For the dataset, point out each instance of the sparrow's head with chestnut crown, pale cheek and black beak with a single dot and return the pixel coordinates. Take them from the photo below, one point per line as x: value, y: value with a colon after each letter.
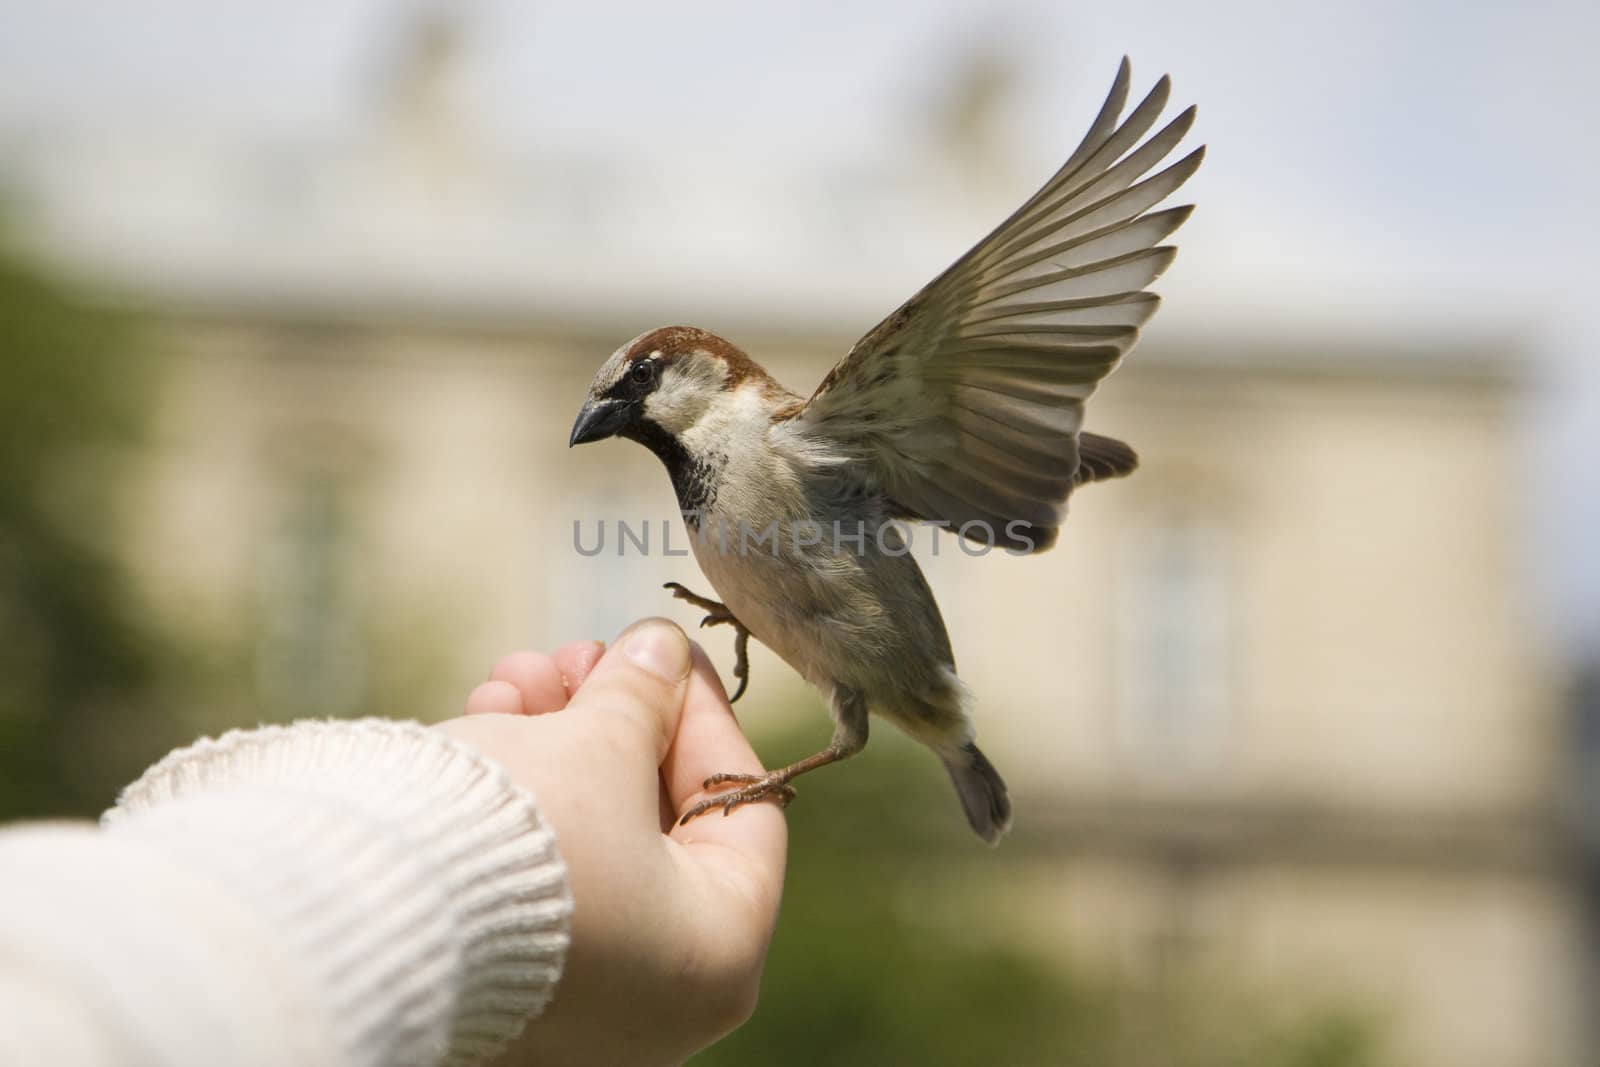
x: 662, y: 383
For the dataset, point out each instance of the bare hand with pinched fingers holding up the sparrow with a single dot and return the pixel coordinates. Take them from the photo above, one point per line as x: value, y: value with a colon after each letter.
x: 671, y: 924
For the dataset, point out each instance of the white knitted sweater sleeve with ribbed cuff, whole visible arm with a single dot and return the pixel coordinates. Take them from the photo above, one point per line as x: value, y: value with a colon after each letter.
x: 366, y: 893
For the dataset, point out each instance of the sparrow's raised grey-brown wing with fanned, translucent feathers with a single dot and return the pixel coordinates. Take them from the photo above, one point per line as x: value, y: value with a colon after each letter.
x: 967, y: 402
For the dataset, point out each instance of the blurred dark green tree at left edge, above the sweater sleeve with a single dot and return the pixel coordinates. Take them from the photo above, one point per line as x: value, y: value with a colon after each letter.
x: 78, y: 669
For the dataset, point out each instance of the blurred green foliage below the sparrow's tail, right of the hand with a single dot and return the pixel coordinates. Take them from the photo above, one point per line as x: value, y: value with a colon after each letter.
x: 886, y: 954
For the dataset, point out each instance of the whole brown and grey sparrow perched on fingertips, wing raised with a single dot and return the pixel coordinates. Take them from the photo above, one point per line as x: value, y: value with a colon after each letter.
x: 962, y: 409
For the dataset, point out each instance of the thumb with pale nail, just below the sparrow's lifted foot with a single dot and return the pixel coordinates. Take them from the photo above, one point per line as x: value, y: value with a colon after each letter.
x: 638, y: 689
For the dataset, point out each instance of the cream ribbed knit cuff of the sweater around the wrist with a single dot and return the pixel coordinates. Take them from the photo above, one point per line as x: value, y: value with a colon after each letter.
x: 415, y: 881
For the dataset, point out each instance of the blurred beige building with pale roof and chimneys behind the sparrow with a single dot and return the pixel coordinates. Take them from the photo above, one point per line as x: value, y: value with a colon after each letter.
x: 1273, y: 708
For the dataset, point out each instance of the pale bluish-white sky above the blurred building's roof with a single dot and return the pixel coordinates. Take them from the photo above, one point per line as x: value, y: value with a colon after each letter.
x: 1382, y: 169
